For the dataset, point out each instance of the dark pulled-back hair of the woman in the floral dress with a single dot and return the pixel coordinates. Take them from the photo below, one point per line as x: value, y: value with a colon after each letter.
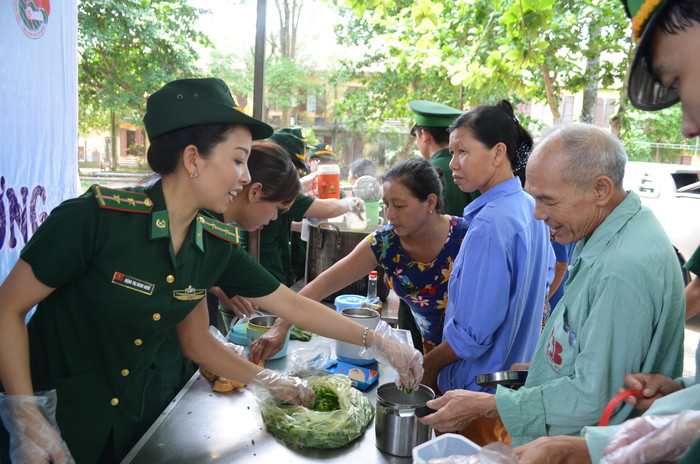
x: 418, y: 176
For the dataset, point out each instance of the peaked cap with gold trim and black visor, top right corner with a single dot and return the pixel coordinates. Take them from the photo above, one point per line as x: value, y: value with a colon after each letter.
x: 645, y: 90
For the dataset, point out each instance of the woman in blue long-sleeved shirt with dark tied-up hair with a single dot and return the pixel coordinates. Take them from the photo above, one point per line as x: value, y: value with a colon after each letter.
x: 500, y: 277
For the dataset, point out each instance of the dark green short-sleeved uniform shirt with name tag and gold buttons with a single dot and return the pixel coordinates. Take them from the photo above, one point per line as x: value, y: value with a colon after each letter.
x: 120, y: 290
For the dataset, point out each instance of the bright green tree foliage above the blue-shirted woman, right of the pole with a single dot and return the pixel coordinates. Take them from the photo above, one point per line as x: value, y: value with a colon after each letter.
x: 476, y: 52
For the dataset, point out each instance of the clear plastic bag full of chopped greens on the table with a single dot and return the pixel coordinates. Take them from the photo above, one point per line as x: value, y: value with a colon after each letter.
x: 339, y: 415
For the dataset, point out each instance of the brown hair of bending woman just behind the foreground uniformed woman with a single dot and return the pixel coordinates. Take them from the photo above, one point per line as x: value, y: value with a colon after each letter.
x: 270, y: 165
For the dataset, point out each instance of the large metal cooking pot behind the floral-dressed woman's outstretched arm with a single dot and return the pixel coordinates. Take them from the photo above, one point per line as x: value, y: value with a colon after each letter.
x: 328, y: 243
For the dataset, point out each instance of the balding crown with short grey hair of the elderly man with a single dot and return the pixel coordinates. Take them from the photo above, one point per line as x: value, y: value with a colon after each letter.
x: 584, y: 152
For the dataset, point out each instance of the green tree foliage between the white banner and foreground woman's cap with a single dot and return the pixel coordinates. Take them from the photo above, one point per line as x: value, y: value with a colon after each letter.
x: 129, y: 48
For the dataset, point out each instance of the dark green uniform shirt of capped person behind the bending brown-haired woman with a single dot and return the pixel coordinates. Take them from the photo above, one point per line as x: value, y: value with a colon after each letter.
x: 275, y: 238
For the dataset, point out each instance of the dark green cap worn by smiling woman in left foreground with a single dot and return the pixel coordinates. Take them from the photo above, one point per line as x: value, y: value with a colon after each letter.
x: 192, y: 102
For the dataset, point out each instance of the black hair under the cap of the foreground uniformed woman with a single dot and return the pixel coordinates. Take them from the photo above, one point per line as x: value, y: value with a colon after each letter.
x: 163, y: 153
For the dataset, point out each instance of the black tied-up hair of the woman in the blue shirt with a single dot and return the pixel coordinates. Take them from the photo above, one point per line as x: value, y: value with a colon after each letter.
x: 495, y: 124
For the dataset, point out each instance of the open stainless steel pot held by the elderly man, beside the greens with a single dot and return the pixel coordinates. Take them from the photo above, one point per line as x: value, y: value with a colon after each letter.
x: 396, y: 423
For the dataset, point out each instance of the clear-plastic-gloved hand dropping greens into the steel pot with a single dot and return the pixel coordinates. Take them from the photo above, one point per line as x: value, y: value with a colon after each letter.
x: 391, y: 348
